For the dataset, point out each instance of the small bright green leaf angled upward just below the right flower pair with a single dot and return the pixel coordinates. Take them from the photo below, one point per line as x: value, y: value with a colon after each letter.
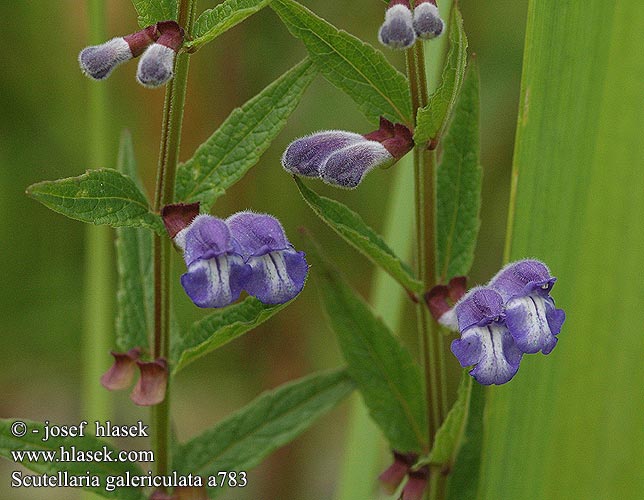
x: 449, y: 436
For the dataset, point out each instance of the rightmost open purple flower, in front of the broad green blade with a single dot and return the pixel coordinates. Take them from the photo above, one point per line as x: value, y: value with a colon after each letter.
x: 530, y: 312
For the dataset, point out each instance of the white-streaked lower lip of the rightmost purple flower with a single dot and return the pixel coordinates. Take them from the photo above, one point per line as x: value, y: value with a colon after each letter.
x: 527, y: 320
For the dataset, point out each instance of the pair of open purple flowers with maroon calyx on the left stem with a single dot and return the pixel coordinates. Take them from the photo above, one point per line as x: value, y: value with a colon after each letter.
x: 248, y: 252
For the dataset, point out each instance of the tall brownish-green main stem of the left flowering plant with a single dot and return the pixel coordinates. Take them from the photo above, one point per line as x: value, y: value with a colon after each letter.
x: 166, y: 174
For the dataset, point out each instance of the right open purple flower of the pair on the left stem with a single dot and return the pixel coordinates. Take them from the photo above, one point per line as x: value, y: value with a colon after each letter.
x: 278, y: 270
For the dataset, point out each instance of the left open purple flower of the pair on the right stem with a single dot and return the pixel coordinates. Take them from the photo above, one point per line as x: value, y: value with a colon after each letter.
x: 485, y: 340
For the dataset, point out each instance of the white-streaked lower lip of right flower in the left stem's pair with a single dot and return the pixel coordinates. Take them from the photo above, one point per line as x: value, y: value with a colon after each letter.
x: 277, y: 276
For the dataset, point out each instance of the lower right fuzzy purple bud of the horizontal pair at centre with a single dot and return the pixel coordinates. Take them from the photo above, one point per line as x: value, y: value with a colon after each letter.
x: 346, y: 167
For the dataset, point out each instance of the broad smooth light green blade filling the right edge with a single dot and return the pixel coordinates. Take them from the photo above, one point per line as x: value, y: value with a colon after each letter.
x: 570, y: 423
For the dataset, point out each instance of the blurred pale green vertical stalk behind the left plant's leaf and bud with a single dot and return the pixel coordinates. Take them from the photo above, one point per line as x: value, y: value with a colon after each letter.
x: 98, y: 285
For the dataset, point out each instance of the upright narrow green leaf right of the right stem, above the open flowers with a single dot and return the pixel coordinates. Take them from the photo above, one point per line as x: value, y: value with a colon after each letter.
x: 459, y: 185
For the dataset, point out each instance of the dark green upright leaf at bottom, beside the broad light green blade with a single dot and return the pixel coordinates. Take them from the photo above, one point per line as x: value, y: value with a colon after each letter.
x: 463, y: 482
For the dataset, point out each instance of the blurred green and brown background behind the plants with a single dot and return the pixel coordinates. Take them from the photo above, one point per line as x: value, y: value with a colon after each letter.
x: 43, y: 135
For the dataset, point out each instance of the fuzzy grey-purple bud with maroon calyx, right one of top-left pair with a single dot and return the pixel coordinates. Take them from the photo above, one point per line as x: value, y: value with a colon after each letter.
x: 156, y: 65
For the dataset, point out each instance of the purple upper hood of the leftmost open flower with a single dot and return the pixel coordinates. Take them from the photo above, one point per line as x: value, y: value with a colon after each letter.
x: 205, y: 238
